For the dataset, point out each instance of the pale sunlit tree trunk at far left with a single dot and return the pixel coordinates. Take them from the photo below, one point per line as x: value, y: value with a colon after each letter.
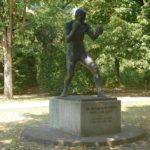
x: 7, y: 48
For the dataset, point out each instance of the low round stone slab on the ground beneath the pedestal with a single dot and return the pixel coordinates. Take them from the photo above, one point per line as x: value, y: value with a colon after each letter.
x: 42, y: 133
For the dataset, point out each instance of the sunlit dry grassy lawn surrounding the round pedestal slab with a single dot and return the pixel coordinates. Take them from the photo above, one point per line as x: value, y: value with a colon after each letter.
x: 14, y: 120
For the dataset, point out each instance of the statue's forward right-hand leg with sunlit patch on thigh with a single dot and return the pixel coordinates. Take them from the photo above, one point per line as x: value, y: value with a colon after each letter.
x: 91, y: 65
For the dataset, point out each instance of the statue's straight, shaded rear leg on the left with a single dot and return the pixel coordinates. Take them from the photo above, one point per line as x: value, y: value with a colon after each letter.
x: 68, y: 77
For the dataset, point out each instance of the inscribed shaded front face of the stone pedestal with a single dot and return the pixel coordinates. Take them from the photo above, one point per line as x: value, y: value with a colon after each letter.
x: 101, y: 117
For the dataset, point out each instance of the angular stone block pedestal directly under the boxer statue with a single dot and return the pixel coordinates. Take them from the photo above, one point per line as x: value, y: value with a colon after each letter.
x: 85, y: 115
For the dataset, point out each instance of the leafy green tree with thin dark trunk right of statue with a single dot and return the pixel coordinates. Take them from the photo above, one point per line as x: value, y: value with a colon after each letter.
x: 122, y: 32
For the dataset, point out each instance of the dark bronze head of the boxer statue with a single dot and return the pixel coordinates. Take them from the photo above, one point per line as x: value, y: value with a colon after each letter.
x: 80, y: 14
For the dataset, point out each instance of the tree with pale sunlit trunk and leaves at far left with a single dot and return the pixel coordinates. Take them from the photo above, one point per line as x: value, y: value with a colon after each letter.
x: 11, y: 25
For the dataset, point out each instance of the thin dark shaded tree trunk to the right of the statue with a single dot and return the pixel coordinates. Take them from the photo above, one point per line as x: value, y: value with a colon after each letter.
x: 117, y: 72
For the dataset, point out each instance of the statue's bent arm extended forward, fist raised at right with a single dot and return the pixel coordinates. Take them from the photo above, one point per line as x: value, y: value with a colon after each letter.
x: 94, y: 35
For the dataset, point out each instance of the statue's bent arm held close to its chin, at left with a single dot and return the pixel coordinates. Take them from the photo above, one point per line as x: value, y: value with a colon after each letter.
x: 70, y: 34
